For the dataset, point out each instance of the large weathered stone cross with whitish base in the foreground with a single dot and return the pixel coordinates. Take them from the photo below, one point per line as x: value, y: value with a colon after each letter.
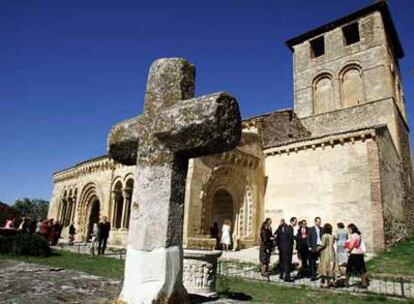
x: 174, y: 127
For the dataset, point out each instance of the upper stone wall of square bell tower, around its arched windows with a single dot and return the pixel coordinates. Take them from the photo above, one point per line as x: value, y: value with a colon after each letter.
x: 371, y: 56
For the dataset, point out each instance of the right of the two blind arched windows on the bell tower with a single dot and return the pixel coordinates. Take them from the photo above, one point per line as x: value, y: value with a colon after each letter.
x: 352, y: 87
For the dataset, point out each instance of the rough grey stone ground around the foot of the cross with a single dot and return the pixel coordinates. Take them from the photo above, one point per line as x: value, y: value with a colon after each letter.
x: 25, y: 283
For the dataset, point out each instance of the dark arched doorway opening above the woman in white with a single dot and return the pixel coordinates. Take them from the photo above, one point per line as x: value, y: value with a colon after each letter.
x: 222, y: 208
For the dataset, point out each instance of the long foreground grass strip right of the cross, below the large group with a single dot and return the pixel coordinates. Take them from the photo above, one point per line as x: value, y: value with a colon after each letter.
x: 262, y: 292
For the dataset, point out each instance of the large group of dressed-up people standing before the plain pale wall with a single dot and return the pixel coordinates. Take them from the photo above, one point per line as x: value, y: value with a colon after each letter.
x: 332, y: 257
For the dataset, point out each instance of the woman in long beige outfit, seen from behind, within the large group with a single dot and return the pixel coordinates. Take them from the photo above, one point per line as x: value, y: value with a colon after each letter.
x: 328, y: 266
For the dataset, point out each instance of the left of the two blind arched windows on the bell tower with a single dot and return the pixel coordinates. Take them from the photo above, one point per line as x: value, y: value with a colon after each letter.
x: 323, y: 94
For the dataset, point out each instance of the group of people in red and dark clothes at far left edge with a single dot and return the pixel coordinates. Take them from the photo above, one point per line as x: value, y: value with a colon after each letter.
x: 48, y: 228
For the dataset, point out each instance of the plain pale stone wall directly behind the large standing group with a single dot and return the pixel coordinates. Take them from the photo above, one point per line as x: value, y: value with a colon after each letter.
x: 331, y: 181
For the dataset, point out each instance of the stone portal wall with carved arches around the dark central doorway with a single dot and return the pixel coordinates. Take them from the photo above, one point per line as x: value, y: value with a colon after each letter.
x: 239, y: 173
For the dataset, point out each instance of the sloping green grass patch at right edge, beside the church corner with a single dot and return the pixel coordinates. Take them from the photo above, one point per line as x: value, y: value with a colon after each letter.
x: 396, y: 261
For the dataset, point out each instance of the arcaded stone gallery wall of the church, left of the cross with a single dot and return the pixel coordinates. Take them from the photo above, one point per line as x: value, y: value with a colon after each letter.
x: 84, y: 184
